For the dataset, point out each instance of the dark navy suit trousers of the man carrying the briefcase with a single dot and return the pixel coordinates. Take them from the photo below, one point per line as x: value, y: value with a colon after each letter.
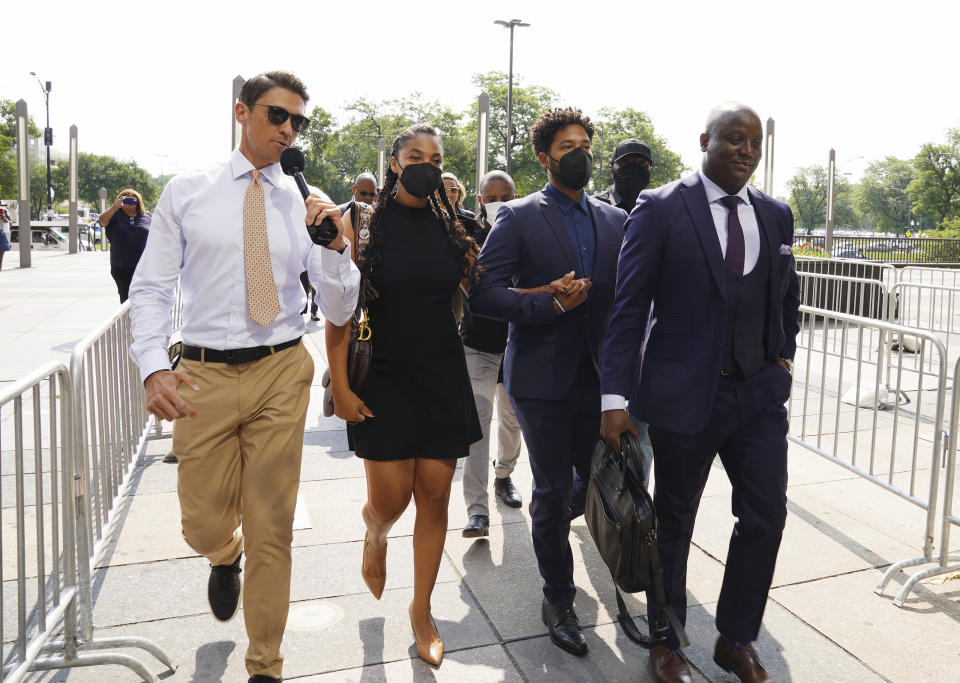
x: 747, y: 429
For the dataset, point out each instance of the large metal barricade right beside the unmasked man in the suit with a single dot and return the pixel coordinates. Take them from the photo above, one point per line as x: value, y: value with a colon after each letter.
x: 851, y: 415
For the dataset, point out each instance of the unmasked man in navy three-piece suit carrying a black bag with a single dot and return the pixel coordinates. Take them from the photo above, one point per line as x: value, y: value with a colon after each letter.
x: 709, y: 368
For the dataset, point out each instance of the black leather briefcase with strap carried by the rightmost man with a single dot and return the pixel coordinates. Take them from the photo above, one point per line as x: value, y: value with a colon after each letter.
x: 623, y: 523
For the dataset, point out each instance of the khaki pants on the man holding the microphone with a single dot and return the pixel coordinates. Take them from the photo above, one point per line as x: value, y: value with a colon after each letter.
x: 240, y: 464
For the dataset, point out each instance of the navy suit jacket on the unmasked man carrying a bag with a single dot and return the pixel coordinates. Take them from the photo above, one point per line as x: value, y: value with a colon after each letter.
x: 671, y: 258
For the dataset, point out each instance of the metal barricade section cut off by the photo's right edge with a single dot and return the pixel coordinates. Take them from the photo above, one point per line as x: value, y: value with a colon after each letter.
x: 947, y: 562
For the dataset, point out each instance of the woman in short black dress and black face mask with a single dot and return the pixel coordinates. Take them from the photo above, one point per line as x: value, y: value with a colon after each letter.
x: 415, y: 414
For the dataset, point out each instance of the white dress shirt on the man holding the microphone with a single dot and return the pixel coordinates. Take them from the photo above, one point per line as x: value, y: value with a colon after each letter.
x: 197, y: 237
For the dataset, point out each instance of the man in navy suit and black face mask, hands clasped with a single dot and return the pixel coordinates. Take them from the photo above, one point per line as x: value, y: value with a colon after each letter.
x: 551, y: 365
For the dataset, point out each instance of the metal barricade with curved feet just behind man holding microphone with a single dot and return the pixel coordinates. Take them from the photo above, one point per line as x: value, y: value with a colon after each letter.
x: 111, y: 426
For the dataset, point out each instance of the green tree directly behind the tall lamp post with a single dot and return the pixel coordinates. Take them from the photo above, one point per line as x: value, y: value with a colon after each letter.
x: 528, y: 103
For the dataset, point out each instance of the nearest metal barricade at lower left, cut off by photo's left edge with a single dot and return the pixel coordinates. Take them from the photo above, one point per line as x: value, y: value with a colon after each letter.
x: 43, y: 516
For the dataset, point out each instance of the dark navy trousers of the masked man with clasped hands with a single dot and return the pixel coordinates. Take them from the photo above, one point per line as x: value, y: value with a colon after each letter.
x: 560, y: 437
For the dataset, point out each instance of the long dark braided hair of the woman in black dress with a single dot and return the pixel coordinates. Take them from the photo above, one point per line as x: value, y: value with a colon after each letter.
x: 460, y: 243
